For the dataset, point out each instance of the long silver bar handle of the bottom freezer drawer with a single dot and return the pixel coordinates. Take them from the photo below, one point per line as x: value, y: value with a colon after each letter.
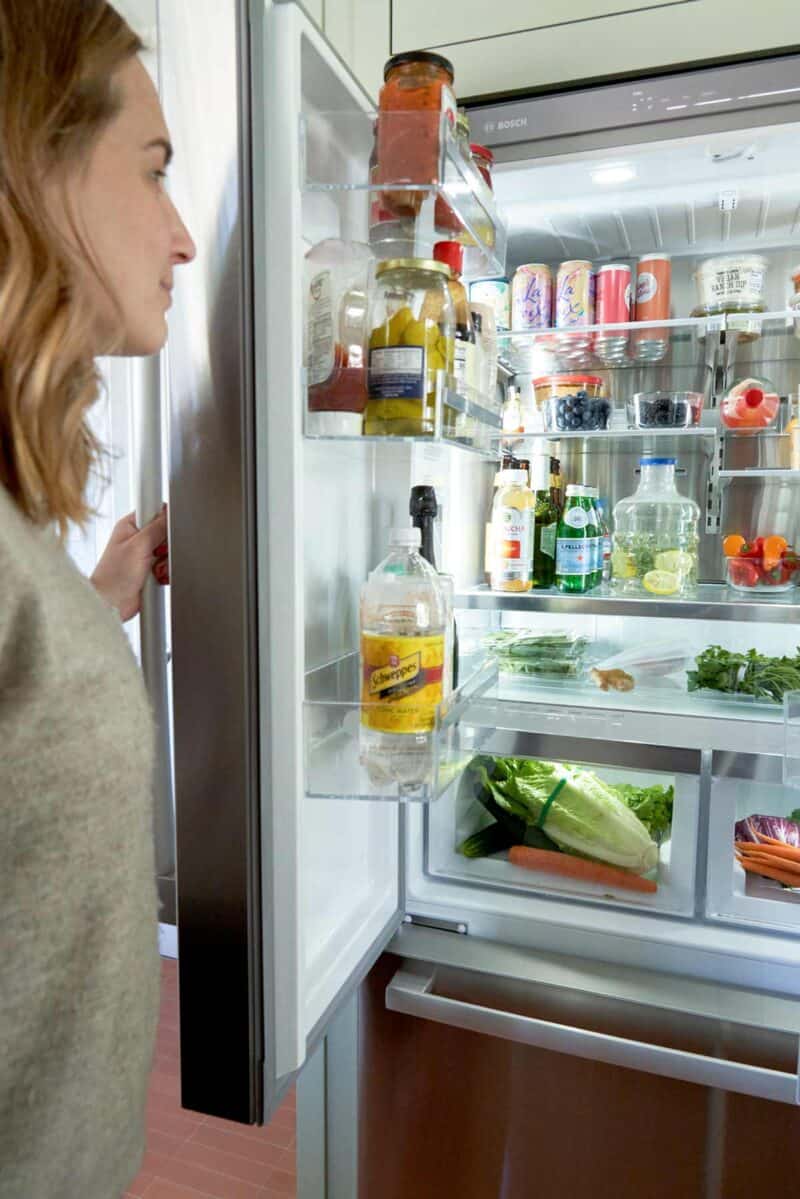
x: 413, y: 995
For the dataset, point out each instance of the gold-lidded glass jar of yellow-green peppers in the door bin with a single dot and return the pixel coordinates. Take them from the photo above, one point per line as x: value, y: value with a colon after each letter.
x: 412, y: 348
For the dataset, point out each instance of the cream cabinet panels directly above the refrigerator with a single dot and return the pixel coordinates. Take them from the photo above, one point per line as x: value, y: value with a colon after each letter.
x: 522, y: 46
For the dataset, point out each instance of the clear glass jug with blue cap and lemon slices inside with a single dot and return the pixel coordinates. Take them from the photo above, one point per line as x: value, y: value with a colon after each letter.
x: 655, y: 535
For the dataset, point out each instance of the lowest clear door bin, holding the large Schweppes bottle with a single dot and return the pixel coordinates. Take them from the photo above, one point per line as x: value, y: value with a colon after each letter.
x: 345, y: 761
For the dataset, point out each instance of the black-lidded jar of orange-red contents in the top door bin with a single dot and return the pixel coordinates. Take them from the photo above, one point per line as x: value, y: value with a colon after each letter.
x: 417, y: 94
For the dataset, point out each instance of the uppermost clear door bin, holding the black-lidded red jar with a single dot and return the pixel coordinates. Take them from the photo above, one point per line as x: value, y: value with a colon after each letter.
x: 338, y: 148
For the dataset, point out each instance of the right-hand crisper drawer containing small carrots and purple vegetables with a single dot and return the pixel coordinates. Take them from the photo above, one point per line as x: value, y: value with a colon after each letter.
x: 743, y: 786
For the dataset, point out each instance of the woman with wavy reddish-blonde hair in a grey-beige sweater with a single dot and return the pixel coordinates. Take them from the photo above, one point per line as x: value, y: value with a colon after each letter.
x: 89, y: 243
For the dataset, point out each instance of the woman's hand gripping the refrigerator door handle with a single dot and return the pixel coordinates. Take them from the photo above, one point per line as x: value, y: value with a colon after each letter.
x: 129, y: 558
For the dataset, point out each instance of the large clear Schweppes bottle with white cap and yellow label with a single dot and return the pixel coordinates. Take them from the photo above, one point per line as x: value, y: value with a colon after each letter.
x: 405, y: 616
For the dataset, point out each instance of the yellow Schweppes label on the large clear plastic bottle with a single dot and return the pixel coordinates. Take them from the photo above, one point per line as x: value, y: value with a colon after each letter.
x: 401, y: 682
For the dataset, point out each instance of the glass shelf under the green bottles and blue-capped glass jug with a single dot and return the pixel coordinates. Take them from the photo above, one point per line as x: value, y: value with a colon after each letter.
x: 712, y: 601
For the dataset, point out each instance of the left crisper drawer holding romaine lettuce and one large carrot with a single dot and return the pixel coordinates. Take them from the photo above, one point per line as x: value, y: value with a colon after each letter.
x: 555, y: 739
